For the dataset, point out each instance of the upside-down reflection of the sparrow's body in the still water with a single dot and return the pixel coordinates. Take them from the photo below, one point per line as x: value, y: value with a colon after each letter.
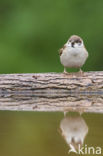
x: 74, y: 130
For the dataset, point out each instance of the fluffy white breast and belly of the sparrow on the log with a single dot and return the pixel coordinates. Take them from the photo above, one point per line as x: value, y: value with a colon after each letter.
x: 73, y: 57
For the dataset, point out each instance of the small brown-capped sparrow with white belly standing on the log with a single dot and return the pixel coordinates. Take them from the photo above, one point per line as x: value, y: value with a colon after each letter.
x: 73, y: 54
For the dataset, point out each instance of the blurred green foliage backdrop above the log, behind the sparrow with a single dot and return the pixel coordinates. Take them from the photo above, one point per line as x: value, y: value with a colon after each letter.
x: 31, y: 32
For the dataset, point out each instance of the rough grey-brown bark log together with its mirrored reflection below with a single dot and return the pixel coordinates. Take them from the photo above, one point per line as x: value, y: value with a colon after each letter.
x: 52, y: 92
